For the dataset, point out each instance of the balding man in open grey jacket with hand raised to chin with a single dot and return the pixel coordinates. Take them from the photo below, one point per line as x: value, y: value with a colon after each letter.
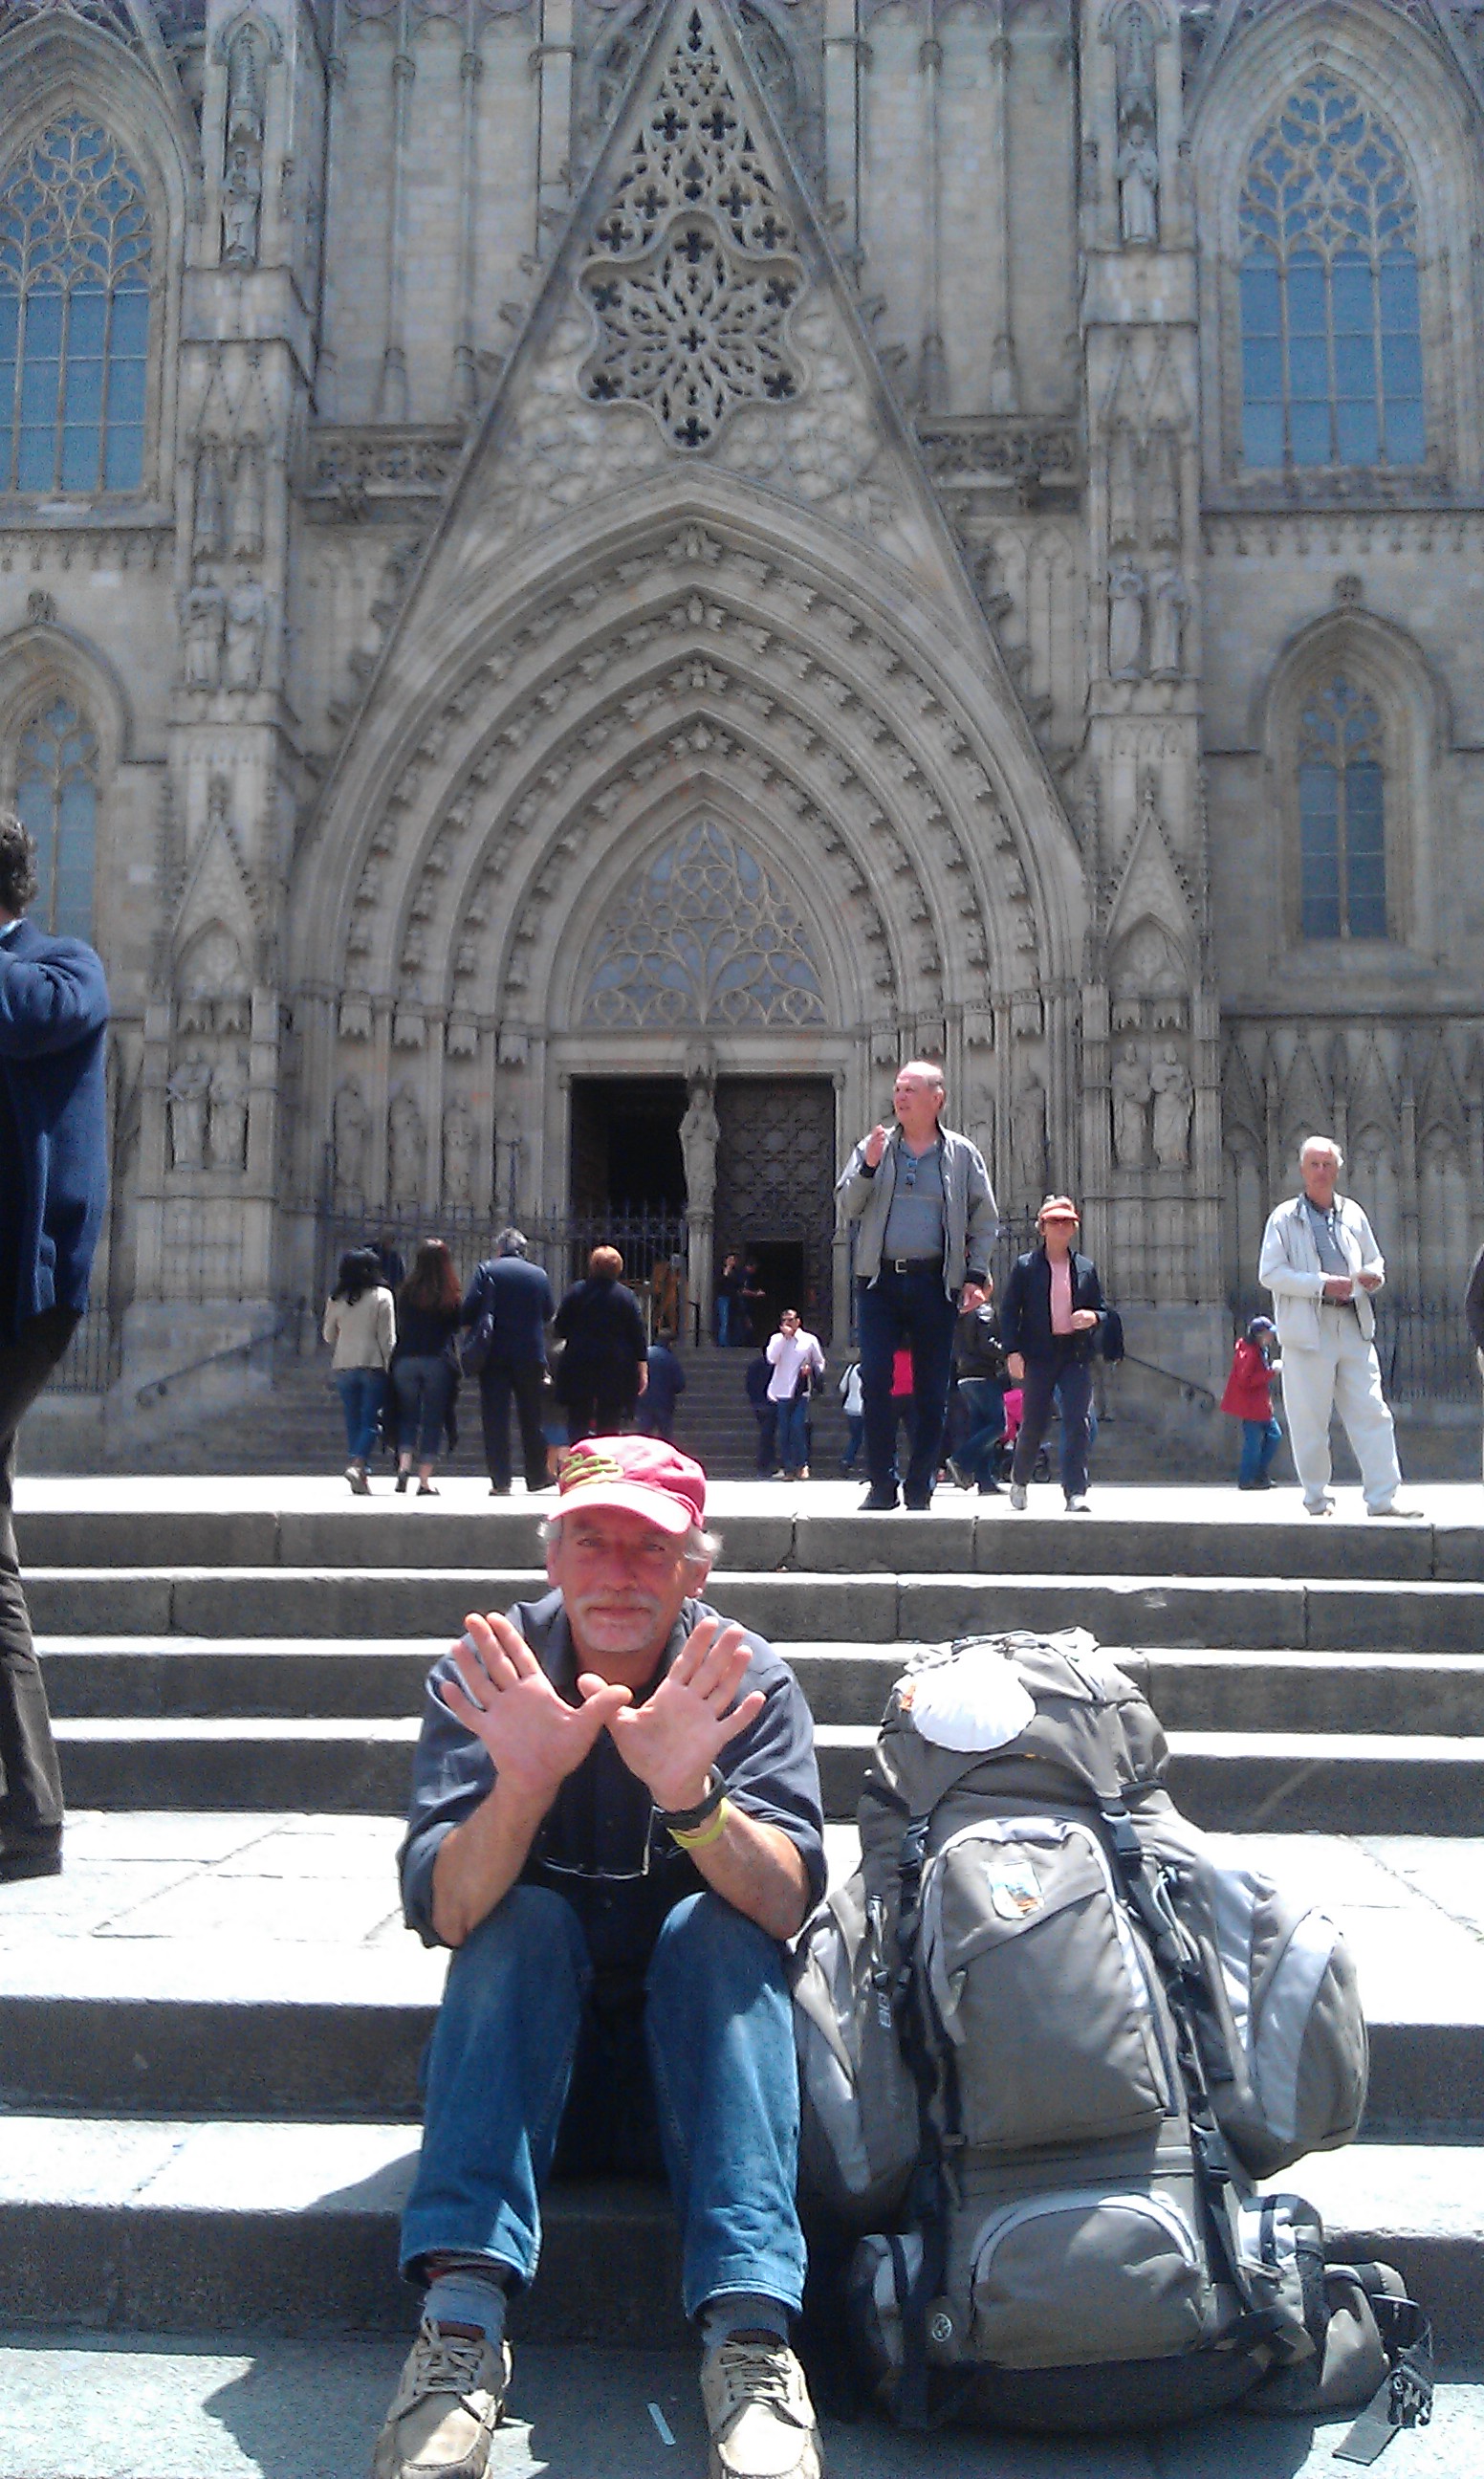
x: 928, y: 1218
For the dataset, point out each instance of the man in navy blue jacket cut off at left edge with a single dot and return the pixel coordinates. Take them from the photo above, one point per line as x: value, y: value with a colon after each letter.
x: 53, y: 1186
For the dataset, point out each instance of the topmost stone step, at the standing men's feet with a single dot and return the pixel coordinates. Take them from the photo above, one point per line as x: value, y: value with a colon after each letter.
x: 806, y: 1528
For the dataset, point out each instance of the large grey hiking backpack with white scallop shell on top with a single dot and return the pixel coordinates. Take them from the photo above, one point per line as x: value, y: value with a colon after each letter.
x: 1047, y: 2046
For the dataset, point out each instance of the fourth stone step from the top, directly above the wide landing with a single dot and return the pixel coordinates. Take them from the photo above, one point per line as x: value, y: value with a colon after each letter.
x: 1223, y: 1779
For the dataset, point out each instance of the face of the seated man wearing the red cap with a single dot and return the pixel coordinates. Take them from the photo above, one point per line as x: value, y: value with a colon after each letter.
x: 623, y: 1585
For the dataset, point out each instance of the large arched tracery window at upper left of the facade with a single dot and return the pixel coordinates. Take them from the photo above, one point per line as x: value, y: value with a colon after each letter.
x: 73, y: 316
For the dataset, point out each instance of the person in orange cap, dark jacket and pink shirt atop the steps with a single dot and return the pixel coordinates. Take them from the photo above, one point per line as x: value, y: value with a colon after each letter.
x: 1049, y: 1330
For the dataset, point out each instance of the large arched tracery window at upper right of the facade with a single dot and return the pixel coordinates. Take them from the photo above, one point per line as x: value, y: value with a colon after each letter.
x: 1332, y: 353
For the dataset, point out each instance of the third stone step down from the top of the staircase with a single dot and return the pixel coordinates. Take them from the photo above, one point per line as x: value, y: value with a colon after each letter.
x: 204, y: 1677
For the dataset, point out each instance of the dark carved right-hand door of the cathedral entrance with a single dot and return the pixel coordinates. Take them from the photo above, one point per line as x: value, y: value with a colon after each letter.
x: 777, y: 1191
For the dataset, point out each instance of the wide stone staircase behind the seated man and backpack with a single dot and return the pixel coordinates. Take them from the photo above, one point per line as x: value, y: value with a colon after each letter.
x: 209, y: 2027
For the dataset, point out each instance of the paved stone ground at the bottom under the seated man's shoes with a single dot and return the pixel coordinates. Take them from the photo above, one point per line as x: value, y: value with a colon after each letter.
x: 296, y: 2411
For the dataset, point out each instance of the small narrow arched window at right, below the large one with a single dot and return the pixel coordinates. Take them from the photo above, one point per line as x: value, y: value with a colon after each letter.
x: 1342, y: 814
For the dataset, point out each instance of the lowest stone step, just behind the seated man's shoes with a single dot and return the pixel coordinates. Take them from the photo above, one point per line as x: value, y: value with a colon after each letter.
x: 194, y: 2227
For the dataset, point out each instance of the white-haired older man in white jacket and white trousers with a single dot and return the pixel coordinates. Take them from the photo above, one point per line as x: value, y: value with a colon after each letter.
x: 1322, y: 1266
